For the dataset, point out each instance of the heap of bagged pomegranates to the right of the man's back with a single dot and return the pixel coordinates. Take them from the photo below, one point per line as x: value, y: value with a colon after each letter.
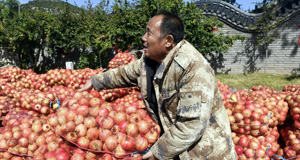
x: 258, y: 120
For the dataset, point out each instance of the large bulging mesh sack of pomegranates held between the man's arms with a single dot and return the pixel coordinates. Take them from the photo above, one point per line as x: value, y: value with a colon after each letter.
x: 90, y: 123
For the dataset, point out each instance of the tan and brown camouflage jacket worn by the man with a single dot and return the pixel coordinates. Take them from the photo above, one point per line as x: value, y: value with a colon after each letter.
x: 190, y: 106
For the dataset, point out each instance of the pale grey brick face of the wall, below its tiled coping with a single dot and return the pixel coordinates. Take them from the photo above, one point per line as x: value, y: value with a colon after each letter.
x: 281, y: 56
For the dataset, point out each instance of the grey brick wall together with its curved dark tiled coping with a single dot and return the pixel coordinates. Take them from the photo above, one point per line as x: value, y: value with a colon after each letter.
x: 281, y: 56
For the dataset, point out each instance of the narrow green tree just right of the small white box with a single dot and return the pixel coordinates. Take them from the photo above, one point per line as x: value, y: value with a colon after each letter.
x: 94, y: 31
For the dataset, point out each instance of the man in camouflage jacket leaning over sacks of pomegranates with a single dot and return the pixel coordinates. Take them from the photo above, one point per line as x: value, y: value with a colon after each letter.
x: 180, y: 92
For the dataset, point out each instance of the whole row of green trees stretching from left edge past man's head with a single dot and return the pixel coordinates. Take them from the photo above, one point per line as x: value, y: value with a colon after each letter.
x: 96, y: 31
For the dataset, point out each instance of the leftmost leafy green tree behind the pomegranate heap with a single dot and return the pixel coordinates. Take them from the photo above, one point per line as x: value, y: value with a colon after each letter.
x: 27, y: 34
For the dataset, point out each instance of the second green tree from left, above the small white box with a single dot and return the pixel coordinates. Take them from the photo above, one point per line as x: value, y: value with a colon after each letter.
x: 64, y: 35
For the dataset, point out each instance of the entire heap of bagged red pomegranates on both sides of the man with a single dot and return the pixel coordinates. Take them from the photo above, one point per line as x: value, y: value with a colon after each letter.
x: 43, y: 116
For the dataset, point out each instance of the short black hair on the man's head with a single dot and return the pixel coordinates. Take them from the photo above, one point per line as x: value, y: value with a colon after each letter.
x: 171, y: 24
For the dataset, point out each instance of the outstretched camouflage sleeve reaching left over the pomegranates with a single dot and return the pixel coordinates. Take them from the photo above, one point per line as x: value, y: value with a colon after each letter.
x: 123, y: 76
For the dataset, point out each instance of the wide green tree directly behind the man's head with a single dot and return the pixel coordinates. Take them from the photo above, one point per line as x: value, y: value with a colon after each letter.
x: 199, y: 28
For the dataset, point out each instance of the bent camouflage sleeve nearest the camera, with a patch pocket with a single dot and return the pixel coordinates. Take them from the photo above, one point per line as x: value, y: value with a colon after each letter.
x: 196, y: 92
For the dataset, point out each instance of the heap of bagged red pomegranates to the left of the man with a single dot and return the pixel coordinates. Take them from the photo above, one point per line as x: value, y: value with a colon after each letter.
x: 43, y: 116
